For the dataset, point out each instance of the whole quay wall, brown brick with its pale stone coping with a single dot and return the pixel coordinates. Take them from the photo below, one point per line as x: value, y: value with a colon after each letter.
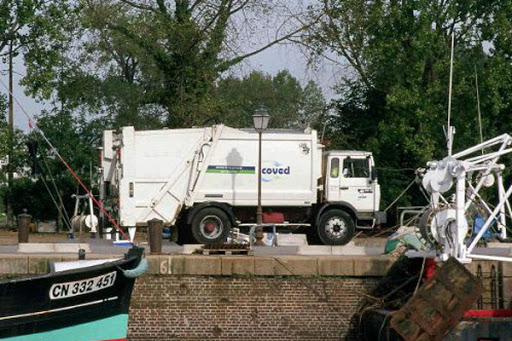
x: 188, y: 297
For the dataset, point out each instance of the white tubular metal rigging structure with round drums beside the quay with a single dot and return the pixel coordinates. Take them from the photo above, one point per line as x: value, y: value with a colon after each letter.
x: 448, y: 222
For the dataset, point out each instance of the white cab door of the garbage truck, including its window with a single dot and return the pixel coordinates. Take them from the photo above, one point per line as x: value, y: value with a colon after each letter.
x: 356, y: 184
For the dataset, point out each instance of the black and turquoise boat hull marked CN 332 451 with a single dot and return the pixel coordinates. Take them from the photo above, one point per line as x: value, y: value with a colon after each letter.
x: 87, y: 304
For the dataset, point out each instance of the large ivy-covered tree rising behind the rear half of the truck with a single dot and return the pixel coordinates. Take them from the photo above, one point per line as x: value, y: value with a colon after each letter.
x: 150, y: 64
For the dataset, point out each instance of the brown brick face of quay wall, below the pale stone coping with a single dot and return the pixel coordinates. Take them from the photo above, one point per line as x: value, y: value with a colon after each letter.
x: 170, y: 307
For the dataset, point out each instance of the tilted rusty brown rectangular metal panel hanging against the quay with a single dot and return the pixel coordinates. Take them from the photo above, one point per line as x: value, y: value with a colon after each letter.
x: 439, y: 303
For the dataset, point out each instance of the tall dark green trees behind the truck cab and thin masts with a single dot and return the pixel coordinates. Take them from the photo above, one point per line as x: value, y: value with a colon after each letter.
x: 393, y: 99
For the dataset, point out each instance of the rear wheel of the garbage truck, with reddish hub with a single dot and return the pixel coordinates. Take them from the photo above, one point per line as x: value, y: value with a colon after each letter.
x: 211, y: 225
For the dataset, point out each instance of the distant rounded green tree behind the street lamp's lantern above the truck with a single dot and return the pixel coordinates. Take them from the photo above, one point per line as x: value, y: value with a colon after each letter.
x: 289, y: 104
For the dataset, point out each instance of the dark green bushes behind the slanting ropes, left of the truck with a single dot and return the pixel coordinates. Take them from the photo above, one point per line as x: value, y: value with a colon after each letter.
x: 76, y: 139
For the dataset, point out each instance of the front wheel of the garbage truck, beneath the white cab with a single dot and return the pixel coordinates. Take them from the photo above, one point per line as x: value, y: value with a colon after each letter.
x: 336, y: 227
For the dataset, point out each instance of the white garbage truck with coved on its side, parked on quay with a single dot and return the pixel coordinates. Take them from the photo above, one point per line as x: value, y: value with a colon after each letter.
x: 206, y: 179
